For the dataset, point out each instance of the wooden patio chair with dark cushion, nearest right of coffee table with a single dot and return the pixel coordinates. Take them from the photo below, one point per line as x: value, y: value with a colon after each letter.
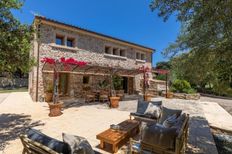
x: 161, y: 140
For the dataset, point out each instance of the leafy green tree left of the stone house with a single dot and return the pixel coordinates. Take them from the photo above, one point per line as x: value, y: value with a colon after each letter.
x: 15, y: 39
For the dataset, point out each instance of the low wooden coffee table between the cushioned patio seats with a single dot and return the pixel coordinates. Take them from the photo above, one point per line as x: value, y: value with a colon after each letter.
x: 129, y: 128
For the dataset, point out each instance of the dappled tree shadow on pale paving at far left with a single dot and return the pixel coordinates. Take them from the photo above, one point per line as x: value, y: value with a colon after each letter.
x: 12, y: 125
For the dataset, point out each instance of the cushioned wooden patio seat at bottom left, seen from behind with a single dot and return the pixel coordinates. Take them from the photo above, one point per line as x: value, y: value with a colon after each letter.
x: 35, y: 142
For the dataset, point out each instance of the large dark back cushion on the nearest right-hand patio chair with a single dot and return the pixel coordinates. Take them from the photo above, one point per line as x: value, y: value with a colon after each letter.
x: 159, y: 136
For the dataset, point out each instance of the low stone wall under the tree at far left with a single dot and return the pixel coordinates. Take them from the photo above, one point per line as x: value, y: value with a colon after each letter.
x: 13, y: 83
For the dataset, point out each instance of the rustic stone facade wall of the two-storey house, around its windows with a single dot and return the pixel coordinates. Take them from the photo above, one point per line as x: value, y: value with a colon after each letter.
x: 89, y: 49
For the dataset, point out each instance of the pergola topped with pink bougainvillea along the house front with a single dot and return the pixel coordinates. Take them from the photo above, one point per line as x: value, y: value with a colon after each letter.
x: 71, y: 65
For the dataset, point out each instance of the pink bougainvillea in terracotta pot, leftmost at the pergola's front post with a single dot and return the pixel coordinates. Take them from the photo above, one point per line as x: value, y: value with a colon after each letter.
x: 55, y: 107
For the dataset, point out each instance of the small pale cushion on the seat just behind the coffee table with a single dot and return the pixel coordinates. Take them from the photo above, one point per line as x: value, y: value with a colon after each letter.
x: 153, y: 111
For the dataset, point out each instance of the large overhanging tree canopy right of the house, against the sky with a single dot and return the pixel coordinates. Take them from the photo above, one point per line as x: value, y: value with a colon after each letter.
x: 202, y: 53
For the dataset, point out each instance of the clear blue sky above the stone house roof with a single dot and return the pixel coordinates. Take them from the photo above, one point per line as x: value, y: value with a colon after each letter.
x: 130, y: 20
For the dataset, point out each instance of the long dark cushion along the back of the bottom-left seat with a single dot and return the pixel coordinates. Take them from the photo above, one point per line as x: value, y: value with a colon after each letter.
x: 51, y: 143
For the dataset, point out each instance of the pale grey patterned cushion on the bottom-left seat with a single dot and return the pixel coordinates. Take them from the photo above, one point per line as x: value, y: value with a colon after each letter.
x: 78, y: 145
